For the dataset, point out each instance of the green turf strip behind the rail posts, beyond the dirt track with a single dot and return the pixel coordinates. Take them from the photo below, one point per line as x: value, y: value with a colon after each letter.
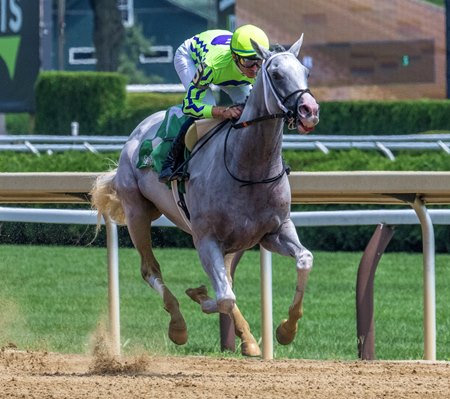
x: 54, y: 298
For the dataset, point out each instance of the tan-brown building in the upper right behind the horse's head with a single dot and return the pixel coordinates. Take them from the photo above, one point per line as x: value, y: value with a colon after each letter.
x: 360, y: 49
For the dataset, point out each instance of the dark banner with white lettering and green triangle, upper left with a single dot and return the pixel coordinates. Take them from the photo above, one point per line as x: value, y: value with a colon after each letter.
x: 19, y: 54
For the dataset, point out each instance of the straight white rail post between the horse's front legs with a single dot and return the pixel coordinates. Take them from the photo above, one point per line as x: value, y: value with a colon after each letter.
x: 266, y: 303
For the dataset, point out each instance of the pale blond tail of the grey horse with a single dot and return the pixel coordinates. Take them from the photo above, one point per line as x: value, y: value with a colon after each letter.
x: 104, y: 198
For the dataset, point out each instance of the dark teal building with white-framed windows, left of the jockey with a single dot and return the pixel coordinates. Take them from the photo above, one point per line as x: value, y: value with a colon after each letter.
x: 165, y: 23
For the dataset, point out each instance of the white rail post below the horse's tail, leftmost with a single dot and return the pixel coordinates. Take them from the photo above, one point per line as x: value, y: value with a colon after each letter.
x: 113, y: 284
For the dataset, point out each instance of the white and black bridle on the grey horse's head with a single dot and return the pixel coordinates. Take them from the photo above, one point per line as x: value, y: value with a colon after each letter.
x: 290, y: 116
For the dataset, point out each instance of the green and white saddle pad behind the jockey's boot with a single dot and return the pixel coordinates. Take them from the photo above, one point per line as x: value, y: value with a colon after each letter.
x: 153, y: 152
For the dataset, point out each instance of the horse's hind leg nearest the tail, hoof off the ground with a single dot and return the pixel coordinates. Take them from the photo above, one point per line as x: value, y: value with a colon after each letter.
x: 139, y: 213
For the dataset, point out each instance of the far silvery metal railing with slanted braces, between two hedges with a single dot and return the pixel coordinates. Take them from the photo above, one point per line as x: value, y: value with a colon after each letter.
x: 386, y: 144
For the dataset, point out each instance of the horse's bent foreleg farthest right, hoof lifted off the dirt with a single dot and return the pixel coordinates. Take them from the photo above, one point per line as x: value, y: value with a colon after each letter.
x: 286, y: 242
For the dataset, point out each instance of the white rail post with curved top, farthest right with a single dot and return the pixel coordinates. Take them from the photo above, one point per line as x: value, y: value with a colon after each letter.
x: 429, y: 285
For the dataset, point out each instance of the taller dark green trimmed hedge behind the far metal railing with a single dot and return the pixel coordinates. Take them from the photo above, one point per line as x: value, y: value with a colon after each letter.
x: 98, y: 101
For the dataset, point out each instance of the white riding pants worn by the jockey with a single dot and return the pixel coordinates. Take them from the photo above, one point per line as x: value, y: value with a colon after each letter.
x: 186, y: 69
